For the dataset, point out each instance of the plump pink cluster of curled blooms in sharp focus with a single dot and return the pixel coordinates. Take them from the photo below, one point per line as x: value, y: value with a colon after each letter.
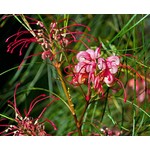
x: 92, y: 68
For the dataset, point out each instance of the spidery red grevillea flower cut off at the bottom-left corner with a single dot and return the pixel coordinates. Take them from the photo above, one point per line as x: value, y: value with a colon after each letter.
x: 26, y: 125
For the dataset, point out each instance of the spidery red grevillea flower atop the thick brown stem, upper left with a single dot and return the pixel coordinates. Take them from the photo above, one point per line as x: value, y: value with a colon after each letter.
x: 57, y: 36
